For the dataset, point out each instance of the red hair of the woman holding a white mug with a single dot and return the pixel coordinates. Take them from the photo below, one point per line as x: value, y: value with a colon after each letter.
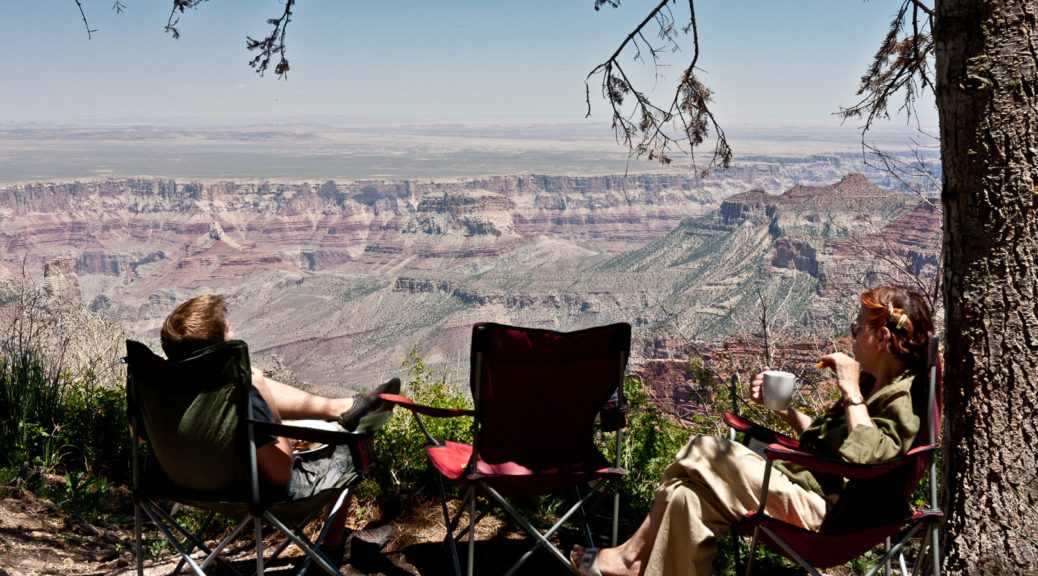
x: 905, y: 312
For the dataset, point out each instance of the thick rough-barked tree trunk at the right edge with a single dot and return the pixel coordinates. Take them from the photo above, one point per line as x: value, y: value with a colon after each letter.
x: 988, y: 98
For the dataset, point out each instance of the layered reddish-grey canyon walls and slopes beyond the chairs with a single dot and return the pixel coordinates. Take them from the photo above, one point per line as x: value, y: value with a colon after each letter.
x: 339, y: 281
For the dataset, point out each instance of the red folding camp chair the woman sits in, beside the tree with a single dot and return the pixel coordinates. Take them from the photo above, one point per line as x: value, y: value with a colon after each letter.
x: 880, y: 491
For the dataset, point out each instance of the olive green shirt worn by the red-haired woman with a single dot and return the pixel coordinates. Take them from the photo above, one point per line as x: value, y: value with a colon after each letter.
x: 896, y: 427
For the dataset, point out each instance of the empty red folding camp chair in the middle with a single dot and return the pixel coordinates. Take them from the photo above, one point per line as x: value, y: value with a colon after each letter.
x: 537, y: 395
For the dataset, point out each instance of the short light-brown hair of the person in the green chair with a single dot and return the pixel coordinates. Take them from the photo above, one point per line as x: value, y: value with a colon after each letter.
x: 195, y: 325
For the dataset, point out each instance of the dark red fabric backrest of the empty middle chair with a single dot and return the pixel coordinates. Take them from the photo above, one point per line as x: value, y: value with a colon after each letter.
x: 537, y: 393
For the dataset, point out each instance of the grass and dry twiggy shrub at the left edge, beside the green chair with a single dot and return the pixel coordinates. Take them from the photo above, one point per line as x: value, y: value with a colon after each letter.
x: 56, y: 414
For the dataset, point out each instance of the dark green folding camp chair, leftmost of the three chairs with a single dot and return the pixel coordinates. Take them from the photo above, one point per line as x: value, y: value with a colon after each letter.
x: 197, y: 419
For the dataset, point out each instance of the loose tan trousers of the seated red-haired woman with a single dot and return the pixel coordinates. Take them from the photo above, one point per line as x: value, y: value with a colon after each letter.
x: 711, y: 486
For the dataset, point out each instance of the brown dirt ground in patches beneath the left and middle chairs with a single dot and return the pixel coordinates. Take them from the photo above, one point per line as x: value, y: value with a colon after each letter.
x: 37, y: 540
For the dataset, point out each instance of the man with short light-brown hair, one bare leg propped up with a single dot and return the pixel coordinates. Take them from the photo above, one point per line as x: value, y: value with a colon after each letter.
x: 203, y: 322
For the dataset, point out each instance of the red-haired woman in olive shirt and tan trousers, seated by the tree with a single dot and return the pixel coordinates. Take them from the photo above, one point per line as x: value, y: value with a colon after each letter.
x: 715, y: 482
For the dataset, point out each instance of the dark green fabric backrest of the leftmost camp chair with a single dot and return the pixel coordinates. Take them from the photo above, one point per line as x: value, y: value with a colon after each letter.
x: 192, y: 412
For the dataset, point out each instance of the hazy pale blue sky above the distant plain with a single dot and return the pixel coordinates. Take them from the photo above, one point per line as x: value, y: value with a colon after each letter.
x: 782, y: 62
